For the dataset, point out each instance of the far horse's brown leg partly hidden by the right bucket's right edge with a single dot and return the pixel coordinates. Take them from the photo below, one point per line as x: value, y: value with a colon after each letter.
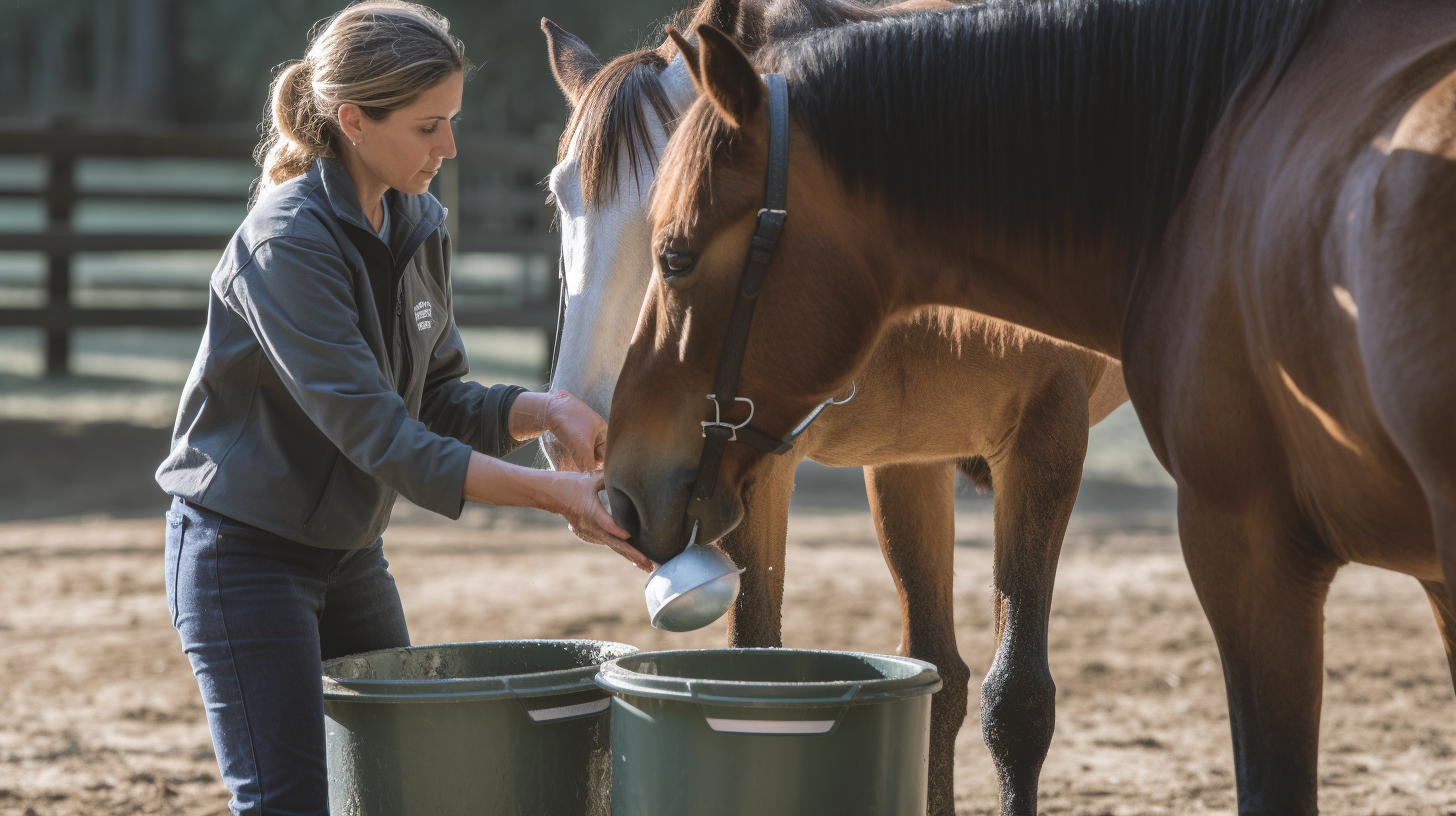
x: 915, y: 514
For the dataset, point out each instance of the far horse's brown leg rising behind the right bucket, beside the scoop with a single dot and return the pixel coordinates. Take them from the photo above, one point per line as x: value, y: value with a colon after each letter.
x: 758, y: 546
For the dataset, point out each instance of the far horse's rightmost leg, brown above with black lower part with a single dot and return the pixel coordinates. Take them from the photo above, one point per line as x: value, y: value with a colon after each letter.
x: 1036, y: 483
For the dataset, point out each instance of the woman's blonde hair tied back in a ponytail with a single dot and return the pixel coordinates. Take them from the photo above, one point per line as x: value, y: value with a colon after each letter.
x: 379, y: 55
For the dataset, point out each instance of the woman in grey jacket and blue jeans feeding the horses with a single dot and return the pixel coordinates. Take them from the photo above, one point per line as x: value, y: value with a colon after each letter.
x: 328, y: 382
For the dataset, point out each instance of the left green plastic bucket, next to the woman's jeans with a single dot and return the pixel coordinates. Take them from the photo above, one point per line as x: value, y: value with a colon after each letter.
x: 510, y: 728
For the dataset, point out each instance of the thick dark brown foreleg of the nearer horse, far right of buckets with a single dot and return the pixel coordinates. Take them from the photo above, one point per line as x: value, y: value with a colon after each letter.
x: 1265, y: 595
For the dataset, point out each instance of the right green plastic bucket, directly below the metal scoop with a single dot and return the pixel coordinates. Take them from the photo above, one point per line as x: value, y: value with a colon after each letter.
x: 769, y: 732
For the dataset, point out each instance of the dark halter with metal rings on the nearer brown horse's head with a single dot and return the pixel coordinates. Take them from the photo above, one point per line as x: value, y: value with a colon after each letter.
x: 717, y: 433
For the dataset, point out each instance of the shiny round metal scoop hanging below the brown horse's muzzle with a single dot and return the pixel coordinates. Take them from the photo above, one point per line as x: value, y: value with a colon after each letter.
x: 694, y: 589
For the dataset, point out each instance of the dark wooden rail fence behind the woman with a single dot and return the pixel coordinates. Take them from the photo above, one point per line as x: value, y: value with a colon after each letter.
x: 502, y: 211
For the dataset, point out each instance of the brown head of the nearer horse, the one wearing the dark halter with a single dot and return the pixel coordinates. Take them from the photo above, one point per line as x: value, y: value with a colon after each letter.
x: 816, y: 317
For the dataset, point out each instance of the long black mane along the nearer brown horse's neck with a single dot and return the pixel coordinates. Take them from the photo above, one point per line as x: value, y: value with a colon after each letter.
x: 1036, y: 116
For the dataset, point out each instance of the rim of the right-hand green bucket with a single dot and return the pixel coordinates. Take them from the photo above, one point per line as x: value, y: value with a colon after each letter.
x: 922, y: 678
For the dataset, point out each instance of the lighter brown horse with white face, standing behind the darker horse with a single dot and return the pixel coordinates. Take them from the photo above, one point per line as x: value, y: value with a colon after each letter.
x: 944, y: 388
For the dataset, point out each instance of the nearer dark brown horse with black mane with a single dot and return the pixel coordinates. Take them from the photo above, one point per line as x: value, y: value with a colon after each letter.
x: 1247, y: 202
